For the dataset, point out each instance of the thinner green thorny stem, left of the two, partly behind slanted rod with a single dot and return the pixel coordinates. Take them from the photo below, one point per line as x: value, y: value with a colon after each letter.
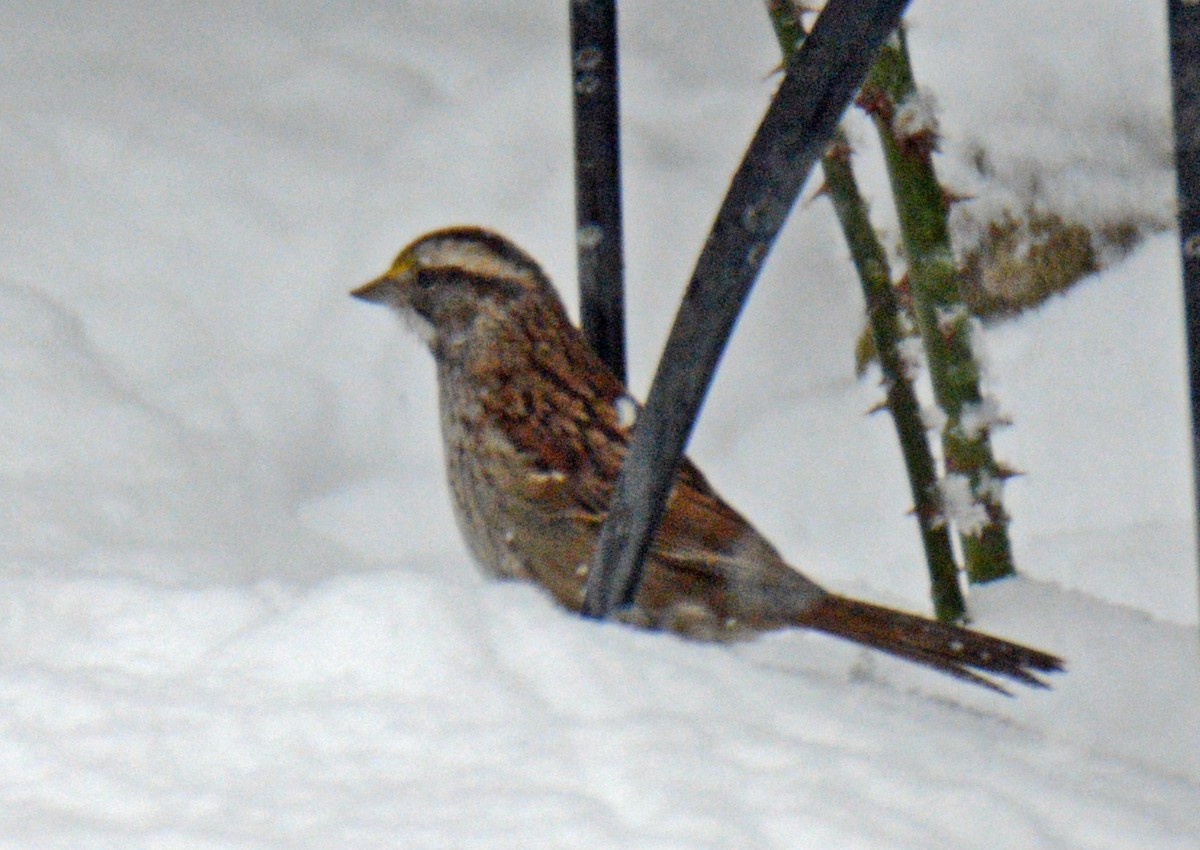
x: 887, y: 332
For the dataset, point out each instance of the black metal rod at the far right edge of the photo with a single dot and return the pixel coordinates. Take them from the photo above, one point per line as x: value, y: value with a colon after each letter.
x: 1184, y: 25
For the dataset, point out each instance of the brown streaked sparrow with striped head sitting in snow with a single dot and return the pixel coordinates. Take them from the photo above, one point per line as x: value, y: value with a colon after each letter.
x: 536, y: 428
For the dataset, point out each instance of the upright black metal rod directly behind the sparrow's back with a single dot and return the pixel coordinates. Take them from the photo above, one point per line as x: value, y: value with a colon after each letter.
x: 598, y: 179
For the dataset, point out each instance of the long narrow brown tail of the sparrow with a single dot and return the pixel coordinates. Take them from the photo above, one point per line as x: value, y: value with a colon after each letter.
x: 953, y: 650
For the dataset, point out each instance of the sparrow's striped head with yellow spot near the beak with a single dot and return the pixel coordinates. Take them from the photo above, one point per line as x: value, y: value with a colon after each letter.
x: 445, y: 283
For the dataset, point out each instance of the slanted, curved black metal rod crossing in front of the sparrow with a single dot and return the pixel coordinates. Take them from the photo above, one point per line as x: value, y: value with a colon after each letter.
x: 821, y: 79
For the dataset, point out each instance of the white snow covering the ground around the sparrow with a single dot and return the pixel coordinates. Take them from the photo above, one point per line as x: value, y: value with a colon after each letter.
x: 235, y: 612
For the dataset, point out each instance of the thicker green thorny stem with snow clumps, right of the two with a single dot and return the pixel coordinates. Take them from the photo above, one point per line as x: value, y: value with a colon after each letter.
x: 946, y: 328
